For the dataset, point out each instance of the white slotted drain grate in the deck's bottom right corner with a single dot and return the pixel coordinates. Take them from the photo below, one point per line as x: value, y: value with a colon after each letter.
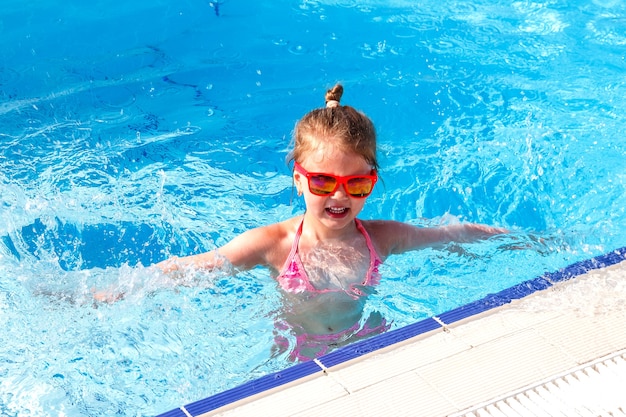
x: 594, y: 389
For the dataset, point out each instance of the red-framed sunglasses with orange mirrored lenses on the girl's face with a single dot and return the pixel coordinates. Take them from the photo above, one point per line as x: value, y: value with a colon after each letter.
x: 357, y: 186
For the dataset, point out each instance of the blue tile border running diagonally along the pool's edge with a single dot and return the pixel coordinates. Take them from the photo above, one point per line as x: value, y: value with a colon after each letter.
x: 392, y: 337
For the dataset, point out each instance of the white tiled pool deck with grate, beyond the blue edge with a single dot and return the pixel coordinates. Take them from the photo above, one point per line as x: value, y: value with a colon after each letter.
x: 559, y: 351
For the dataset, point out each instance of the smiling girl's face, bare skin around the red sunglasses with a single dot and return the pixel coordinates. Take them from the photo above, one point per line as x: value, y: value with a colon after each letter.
x: 336, y: 210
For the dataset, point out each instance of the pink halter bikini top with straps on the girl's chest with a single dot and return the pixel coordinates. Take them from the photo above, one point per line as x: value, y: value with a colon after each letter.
x: 293, y: 277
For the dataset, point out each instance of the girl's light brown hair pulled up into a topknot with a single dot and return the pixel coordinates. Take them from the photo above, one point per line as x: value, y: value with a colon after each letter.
x: 337, y: 125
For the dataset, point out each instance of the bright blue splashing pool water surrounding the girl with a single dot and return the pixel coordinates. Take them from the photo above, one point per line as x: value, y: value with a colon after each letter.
x: 131, y: 132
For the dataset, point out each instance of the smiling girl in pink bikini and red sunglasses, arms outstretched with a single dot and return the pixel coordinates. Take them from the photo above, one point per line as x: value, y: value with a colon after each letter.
x: 326, y: 260
